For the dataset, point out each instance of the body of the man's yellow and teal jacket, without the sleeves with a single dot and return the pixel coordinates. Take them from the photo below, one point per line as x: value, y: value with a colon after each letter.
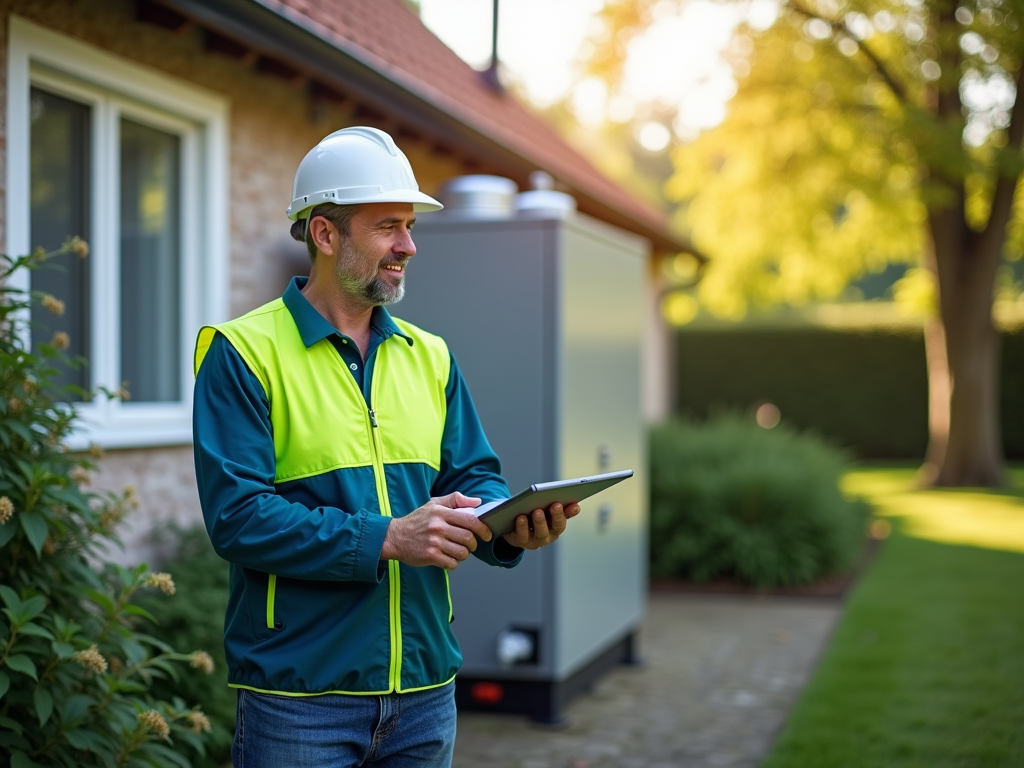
x: 345, y: 637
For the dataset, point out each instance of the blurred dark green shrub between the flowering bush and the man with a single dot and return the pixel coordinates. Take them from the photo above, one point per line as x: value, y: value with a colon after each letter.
x: 196, y: 620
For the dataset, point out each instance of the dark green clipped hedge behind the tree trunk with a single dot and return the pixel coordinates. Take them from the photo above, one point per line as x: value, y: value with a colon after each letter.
x: 867, y: 391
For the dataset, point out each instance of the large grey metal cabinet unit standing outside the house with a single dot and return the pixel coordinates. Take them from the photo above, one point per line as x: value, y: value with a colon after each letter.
x: 545, y: 319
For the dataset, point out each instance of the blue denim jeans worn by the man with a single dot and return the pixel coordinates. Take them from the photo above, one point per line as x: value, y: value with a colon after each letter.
x: 397, y: 731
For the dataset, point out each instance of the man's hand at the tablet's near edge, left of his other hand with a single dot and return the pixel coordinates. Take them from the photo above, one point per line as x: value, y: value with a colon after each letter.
x: 437, y: 534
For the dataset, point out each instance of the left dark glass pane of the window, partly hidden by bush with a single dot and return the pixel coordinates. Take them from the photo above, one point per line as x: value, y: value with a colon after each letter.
x: 60, y: 209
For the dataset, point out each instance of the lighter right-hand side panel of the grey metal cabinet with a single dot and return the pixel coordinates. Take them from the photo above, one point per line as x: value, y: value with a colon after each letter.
x: 600, y: 566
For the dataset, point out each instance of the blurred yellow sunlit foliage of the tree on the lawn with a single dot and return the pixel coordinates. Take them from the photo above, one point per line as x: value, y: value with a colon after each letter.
x: 834, y: 150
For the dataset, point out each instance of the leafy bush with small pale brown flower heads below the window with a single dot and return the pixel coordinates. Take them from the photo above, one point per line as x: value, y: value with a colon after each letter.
x: 76, y: 671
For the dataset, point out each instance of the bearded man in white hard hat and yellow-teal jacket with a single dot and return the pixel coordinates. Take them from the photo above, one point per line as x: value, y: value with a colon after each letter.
x: 339, y: 456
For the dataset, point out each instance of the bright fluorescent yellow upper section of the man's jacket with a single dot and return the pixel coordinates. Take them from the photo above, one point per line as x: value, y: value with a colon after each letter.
x: 316, y: 403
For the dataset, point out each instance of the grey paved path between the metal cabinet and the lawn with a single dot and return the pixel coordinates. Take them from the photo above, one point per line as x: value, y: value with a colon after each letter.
x: 718, y: 679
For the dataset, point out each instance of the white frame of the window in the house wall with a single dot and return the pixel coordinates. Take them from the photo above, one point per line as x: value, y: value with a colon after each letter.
x: 115, y: 88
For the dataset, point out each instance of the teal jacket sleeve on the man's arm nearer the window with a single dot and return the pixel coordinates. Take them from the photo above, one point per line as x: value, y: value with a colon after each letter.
x: 248, y: 523
